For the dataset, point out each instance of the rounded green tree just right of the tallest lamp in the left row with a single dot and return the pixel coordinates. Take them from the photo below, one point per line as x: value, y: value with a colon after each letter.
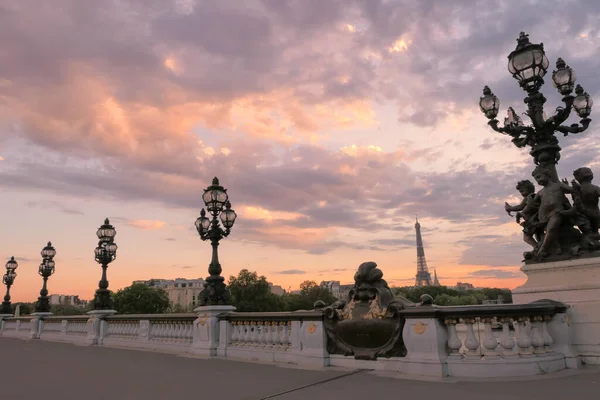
x: 251, y: 292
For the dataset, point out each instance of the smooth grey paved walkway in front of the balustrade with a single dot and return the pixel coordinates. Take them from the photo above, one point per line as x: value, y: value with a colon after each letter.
x: 46, y: 370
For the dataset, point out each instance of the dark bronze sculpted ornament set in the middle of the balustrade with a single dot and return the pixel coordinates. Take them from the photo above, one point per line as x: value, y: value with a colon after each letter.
x: 366, y: 324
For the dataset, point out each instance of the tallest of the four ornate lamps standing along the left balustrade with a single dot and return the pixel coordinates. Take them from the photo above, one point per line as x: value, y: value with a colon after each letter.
x: 217, y: 203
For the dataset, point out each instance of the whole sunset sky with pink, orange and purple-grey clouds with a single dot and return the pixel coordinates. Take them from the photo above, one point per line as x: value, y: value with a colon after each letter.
x: 332, y: 123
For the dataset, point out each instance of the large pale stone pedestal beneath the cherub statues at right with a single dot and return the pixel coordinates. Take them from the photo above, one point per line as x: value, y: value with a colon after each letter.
x: 573, y: 282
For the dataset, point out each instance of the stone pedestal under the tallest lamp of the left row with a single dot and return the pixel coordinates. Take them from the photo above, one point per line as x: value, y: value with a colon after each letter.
x: 207, y: 332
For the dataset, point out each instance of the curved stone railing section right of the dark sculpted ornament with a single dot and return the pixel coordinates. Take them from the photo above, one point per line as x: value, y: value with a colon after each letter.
x: 533, y: 338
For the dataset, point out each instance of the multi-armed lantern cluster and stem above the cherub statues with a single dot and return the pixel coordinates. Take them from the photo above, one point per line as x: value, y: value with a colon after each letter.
x: 528, y: 64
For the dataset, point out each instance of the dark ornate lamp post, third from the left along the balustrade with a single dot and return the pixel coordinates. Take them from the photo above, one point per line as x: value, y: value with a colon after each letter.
x: 105, y: 253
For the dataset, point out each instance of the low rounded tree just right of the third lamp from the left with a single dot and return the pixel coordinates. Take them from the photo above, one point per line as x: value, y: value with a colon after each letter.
x: 141, y: 299
